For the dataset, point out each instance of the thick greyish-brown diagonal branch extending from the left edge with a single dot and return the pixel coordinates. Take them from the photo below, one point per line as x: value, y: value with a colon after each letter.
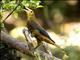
x: 16, y: 44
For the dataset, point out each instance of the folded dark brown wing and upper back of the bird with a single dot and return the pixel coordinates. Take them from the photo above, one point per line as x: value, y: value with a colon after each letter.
x: 33, y: 25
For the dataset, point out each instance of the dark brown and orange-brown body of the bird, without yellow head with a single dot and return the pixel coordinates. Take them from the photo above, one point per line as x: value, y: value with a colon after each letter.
x: 40, y: 34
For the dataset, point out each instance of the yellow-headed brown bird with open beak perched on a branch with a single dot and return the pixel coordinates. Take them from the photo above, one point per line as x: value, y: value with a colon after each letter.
x: 36, y: 30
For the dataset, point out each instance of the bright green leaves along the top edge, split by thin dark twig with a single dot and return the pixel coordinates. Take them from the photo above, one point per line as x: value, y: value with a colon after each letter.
x: 10, y: 5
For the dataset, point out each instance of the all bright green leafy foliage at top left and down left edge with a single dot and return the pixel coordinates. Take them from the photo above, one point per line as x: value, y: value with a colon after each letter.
x: 9, y: 5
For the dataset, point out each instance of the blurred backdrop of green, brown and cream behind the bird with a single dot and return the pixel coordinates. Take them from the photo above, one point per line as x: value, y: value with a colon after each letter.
x: 60, y: 18
